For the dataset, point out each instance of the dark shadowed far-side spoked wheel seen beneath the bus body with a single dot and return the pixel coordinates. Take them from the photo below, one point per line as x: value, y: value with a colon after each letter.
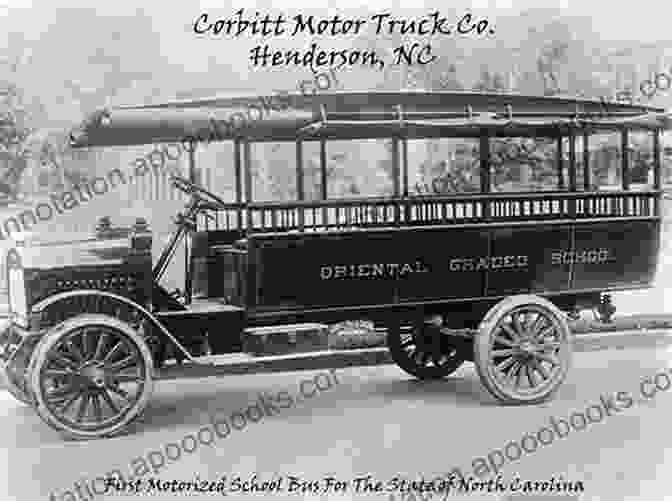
x: 423, y: 351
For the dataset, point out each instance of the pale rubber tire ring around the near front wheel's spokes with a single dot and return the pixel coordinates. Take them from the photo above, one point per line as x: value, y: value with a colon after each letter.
x: 52, y: 337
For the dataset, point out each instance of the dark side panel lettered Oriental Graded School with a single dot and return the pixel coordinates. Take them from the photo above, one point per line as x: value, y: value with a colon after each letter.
x: 433, y: 264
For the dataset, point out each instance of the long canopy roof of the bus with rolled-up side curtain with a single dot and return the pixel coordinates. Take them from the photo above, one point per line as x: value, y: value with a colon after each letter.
x: 359, y: 115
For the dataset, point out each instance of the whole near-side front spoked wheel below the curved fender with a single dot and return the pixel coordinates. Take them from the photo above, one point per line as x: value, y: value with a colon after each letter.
x: 91, y: 376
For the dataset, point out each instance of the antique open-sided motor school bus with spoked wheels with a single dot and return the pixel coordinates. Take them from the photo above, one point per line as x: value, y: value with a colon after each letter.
x: 485, y: 275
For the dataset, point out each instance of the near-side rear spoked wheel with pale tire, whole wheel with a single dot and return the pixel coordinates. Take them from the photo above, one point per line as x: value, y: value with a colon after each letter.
x: 523, y: 350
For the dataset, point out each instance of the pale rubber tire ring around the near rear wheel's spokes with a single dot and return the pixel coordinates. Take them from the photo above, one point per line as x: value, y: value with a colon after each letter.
x: 482, y: 345
